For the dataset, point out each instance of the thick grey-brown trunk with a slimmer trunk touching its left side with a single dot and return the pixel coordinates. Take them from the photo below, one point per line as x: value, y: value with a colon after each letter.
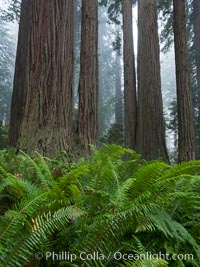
x: 151, y: 127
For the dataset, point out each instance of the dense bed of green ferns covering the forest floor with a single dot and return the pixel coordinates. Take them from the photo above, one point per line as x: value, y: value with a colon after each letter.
x: 111, y: 202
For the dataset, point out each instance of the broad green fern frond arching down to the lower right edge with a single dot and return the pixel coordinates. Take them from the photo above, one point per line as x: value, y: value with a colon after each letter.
x: 105, y: 236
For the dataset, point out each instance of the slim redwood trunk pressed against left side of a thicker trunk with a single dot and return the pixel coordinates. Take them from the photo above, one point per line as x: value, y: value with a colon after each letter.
x: 130, y: 102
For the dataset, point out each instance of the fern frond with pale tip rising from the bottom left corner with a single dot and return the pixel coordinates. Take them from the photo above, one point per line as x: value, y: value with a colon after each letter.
x: 21, y: 251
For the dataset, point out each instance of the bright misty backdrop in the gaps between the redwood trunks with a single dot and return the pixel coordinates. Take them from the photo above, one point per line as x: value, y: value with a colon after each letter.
x: 108, y: 33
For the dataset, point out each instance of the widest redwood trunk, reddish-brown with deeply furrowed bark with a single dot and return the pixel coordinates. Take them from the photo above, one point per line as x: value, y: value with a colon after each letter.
x: 48, y: 79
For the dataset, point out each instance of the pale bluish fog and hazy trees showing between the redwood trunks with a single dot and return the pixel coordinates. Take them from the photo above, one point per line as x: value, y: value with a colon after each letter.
x: 110, y: 43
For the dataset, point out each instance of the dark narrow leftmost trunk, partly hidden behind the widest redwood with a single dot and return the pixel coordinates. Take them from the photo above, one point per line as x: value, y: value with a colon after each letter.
x: 21, y: 77
